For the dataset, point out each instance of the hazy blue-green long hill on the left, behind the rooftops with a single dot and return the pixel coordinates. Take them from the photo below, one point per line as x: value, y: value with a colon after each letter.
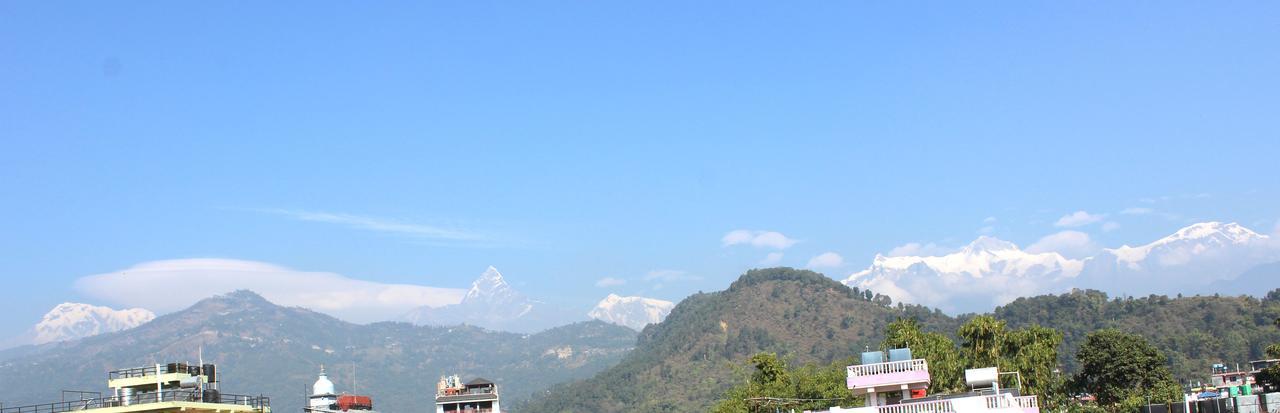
x: 263, y: 348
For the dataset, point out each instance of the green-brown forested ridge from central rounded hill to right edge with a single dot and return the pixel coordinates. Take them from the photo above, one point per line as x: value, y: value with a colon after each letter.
x: 687, y: 362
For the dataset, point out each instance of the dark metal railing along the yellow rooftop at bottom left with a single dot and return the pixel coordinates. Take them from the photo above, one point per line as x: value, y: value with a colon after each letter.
x: 258, y: 403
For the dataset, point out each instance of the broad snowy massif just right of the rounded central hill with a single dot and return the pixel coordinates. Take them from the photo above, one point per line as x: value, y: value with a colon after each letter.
x: 964, y: 281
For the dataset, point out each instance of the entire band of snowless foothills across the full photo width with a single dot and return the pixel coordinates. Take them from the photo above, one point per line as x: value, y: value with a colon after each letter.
x: 679, y: 365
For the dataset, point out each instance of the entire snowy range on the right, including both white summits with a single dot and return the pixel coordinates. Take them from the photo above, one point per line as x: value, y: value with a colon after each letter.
x: 1200, y: 259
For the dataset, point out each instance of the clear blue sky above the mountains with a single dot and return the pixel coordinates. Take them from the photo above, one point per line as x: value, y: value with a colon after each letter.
x: 568, y: 143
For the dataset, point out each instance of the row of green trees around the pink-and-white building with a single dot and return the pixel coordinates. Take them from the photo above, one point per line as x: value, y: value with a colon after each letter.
x: 1121, y: 370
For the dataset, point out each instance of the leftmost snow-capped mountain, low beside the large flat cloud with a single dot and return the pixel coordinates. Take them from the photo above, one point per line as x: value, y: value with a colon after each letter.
x: 72, y: 322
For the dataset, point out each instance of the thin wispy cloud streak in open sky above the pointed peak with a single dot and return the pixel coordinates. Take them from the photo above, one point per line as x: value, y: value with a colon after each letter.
x: 380, y: 226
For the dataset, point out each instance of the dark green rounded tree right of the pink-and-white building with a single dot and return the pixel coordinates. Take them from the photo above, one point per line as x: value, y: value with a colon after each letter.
x: 1123, y: 371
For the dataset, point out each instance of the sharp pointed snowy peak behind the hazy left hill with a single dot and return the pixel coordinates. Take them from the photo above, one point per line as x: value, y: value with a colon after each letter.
x: 491, y: 304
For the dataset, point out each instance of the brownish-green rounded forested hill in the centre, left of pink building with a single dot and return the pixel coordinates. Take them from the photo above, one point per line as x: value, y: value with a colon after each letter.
x: 688, y: 361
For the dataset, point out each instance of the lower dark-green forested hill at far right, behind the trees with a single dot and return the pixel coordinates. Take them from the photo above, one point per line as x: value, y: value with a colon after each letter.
x: 1192, y: 332
